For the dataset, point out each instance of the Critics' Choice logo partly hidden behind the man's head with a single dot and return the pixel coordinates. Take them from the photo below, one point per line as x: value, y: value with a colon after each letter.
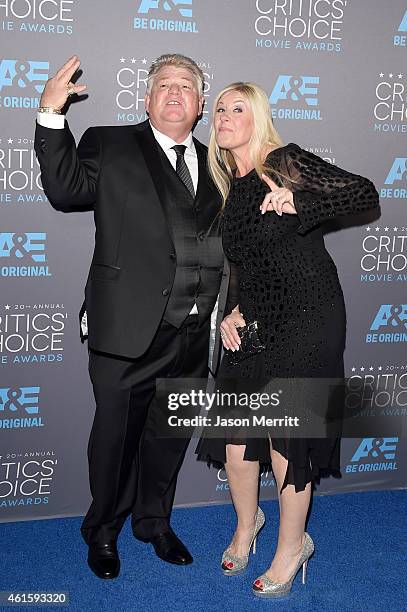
x: 131, y: 84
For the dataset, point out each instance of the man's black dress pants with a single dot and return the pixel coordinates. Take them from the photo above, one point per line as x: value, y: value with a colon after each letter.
x: 131, y: 469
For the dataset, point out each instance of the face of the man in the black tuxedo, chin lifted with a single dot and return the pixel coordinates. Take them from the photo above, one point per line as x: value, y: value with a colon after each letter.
x: 173, y: 101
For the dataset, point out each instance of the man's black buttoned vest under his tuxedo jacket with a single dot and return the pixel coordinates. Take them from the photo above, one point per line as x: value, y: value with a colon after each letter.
x: 194, y: 227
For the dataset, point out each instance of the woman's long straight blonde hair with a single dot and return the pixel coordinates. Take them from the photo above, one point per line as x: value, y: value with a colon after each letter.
x: 263, y: 139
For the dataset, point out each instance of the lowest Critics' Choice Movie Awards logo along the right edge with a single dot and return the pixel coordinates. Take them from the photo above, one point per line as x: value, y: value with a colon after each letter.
x: 377, y: 391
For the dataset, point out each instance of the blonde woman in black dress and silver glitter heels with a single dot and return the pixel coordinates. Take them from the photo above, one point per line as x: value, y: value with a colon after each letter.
x: 288, y: 283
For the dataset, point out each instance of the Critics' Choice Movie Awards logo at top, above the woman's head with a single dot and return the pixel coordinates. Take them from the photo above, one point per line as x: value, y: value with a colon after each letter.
x: 306, y: 25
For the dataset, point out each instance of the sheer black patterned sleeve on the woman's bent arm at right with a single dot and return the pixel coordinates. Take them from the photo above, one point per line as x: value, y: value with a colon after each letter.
x: 323, y: 191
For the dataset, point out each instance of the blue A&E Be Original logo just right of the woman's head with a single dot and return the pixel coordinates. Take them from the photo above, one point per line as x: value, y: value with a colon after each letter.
x: 295, y: 97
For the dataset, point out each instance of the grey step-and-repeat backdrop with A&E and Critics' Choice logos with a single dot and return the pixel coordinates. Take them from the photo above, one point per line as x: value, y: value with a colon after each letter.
x: 336, y: 75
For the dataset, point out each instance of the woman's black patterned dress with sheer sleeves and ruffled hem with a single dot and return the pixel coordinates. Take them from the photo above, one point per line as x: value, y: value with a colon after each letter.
x: 283, y: 277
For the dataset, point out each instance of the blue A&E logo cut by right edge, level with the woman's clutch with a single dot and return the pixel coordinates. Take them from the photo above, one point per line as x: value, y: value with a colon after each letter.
x: 389, y: 324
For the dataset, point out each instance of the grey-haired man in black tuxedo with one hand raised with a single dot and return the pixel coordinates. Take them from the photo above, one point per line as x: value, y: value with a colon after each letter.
x: 152, y: 285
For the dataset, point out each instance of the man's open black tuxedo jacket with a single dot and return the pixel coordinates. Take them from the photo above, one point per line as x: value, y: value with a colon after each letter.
x: 115, y: 171
